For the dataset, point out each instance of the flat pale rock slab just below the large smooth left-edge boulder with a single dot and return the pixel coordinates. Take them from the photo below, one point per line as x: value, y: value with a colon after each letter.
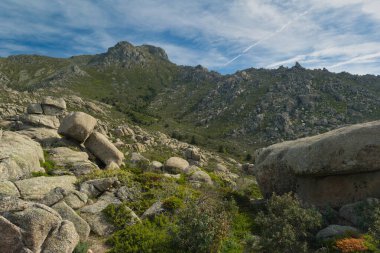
x: 36, y: 188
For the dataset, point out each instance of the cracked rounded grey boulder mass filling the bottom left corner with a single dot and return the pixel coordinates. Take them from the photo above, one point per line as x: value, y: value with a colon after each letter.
x: 37, y: 228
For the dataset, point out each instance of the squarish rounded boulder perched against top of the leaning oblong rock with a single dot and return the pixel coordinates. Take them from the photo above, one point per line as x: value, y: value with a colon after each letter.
x: 77, y: 125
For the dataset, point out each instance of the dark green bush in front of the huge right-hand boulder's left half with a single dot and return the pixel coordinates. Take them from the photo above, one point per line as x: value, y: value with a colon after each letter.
x: 286, y: 227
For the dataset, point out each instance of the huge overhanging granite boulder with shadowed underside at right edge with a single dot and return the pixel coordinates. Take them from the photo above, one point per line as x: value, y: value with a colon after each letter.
x: 334, y: 168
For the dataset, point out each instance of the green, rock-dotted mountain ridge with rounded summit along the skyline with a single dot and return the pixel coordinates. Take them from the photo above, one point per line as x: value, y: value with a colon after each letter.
x: 234, y: 113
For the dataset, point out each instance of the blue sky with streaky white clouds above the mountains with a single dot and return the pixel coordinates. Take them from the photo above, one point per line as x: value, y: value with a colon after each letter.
x: 221, y: 35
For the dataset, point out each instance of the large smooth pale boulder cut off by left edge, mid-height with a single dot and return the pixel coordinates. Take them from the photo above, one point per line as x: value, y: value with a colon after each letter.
x: 19, y: 156
